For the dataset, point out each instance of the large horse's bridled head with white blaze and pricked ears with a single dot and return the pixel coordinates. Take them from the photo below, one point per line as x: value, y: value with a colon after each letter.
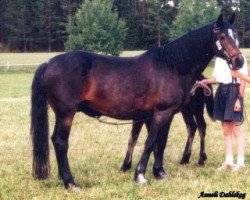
x: 226, y: 42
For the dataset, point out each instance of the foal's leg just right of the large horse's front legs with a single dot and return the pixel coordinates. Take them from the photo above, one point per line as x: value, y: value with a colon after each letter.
x: 191, y: 129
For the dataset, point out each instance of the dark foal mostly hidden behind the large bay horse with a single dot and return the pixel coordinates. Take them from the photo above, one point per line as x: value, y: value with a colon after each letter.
x: 193, y: 116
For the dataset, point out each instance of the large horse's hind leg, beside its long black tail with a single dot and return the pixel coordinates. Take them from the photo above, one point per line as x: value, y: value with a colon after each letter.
x: 60, y: 140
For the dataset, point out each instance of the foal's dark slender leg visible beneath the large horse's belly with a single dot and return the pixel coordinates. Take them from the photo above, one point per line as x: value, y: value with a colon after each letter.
x: 131, y: 145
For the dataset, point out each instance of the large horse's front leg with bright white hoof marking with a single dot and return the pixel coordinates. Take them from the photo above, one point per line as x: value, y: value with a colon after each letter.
x: 159, y: 119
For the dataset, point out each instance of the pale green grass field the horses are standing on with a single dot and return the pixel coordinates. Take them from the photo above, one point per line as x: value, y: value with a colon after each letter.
x: 96, y: 152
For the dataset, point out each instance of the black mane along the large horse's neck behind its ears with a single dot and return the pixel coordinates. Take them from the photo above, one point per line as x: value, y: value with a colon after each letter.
x: 185, y: 50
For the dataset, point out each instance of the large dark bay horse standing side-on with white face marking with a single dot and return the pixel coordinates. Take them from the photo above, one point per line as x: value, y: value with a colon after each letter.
x: 153, y: 85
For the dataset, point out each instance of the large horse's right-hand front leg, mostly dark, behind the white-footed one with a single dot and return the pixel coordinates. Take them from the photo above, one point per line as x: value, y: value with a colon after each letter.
x: 160, y: 146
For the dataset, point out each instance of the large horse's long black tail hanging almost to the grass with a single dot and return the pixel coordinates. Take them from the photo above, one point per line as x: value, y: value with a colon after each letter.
x: 39, y: 126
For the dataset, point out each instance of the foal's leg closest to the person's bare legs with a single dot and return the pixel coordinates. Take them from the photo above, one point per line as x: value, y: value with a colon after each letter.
x: 202, y: 131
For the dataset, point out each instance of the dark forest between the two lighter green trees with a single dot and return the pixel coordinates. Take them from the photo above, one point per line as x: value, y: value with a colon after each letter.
x: 148, y: 22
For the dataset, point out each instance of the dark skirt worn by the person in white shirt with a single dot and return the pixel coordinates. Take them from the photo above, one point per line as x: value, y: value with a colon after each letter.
x: 225, y: 98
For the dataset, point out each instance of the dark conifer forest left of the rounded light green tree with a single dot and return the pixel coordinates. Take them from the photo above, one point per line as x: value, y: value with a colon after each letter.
x: 35, y: 25
